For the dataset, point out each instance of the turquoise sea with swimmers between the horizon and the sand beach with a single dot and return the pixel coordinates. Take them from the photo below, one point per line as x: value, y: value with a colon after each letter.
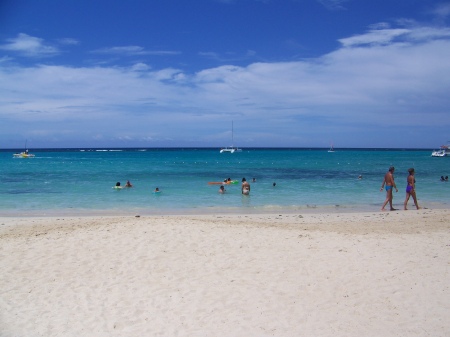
x: 81, y: 181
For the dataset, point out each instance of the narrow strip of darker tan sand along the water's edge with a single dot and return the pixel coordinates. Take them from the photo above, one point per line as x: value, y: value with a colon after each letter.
x: 354, y: 221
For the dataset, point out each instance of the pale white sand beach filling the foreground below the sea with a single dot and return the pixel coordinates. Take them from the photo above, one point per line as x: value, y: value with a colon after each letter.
x: 341, y: 274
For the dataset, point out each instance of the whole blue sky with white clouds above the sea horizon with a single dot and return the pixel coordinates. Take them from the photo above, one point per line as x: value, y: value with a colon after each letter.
x: 178, y: 73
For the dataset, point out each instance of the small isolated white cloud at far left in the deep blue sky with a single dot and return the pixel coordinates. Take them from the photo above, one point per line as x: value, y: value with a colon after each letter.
x: 29, y: 46
